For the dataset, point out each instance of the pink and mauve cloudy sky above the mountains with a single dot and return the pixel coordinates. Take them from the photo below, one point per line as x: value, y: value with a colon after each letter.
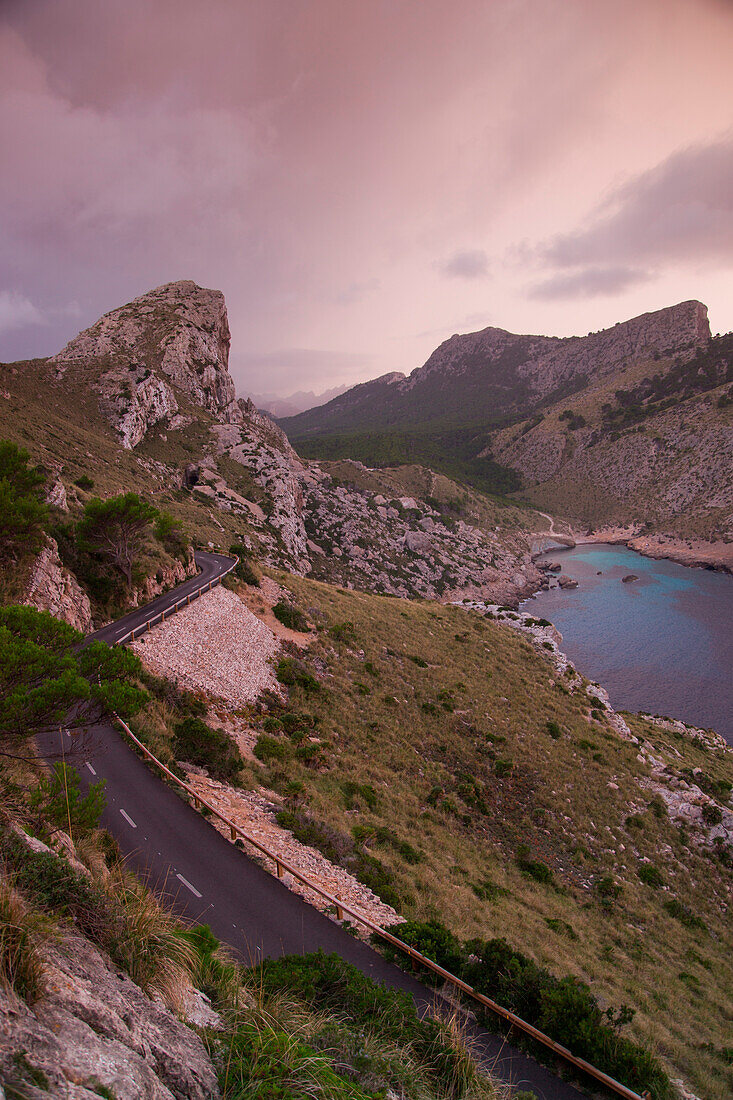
x: 364, y: 179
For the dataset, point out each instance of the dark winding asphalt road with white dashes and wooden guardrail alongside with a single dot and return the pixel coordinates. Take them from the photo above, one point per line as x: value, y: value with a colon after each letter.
x: 209, y: 879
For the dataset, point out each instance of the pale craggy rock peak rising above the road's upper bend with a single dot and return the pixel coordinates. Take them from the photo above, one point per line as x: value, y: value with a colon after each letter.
x: 169, y: 344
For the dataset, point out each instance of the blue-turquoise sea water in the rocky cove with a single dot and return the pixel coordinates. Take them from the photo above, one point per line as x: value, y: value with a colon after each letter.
x: 663, y: 644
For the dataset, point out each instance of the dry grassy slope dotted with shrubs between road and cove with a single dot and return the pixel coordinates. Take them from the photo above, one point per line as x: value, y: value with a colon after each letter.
x: 556, y: 800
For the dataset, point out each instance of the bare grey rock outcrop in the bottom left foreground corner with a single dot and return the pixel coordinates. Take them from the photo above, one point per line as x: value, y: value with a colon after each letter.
x: 95, y: 1029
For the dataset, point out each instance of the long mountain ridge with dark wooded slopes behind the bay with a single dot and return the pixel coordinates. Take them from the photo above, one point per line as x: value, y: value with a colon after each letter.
x: 630, y: 424
